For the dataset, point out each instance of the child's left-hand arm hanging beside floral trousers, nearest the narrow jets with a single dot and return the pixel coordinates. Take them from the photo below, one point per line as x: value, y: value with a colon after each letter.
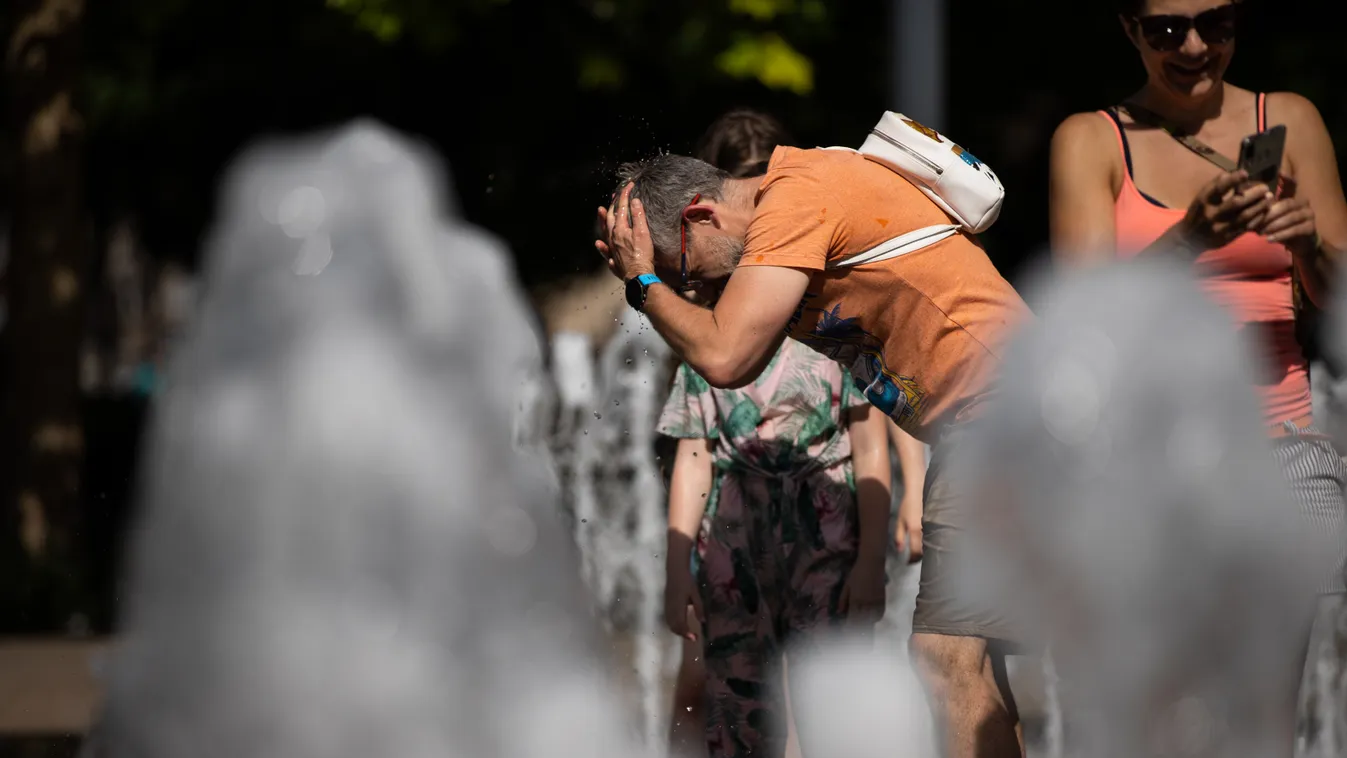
x: 688, y: 504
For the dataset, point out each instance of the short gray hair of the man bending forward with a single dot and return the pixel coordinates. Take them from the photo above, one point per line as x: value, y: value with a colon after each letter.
x: 666, y: 185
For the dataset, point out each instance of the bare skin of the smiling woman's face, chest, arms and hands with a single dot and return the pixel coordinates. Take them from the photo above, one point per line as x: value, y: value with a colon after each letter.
x: 1187, y: 88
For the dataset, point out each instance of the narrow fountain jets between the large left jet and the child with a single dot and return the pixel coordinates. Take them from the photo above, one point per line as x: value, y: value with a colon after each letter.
x: 612, y: 485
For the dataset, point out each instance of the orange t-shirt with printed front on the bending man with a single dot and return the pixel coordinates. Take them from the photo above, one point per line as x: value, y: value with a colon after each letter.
x: 922, y: 333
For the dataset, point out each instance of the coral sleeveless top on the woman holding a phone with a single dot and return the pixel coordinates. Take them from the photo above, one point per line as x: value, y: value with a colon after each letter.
x: 1251, y: 278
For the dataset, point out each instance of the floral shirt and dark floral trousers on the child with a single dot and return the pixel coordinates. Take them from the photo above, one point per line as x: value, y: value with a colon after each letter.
x: 779, y: 535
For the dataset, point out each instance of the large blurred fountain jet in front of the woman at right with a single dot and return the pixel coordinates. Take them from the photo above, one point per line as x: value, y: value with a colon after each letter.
x: 1142, y: 519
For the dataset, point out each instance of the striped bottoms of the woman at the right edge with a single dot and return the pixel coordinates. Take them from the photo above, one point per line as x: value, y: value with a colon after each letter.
x: 1317, y: 476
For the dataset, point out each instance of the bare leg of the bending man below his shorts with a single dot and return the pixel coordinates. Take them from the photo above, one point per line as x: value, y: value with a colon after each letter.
x: 973, y: 710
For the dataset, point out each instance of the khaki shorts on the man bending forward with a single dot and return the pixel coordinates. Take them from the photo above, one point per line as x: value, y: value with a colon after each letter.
x: 958, y: 596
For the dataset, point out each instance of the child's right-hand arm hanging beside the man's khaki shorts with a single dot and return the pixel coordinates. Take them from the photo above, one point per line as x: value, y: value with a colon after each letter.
x: 871, y: 467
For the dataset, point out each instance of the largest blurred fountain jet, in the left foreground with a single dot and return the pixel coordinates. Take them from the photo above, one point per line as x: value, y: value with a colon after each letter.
x: 341, y: 553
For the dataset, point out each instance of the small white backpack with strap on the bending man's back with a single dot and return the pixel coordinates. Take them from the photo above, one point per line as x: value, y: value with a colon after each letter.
x: 961, y: 185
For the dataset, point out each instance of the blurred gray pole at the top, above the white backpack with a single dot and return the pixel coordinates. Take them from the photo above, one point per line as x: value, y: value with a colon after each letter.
x: 919, y: 60
